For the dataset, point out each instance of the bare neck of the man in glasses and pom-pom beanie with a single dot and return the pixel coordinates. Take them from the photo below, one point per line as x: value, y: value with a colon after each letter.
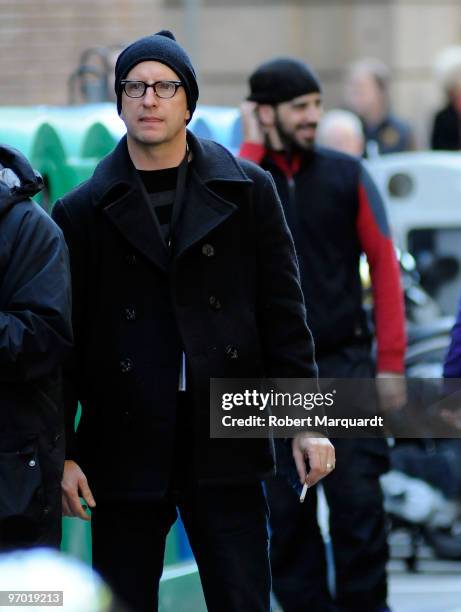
x: 157, y: 157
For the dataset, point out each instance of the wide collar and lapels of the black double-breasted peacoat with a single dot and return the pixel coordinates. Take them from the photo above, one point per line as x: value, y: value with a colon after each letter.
x: 119, y: 191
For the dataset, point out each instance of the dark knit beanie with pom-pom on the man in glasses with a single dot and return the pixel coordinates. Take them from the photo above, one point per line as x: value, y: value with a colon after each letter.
x: 160, y: 47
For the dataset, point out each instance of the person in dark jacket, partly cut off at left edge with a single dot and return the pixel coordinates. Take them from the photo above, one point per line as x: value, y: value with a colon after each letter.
x: 35, y: 333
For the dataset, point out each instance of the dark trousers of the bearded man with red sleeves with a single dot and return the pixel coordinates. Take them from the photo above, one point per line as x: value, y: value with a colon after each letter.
x: 357, y: 521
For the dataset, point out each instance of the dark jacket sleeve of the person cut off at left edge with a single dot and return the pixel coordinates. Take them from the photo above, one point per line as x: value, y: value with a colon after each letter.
x: 35, y: 317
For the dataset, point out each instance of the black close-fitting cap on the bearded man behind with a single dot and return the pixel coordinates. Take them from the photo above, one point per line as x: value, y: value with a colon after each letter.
x: 282, y: 79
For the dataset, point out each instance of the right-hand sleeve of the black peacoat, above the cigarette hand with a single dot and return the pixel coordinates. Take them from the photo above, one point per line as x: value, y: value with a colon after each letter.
x: 287, y: 341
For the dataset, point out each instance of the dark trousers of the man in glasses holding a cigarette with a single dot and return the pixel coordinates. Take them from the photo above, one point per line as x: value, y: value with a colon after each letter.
x: 227, y: 530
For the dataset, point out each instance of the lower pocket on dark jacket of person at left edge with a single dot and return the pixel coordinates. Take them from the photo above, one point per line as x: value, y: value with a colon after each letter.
x: 20, y: 482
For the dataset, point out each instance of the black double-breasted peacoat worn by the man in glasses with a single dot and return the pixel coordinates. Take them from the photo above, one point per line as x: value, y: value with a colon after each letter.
x: 226, y: 292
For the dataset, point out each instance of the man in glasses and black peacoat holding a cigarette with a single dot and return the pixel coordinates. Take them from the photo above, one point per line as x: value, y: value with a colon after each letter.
x: 183, y: 270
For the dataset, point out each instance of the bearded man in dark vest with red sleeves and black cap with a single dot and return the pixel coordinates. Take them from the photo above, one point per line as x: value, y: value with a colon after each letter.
x: 335, y: 213
